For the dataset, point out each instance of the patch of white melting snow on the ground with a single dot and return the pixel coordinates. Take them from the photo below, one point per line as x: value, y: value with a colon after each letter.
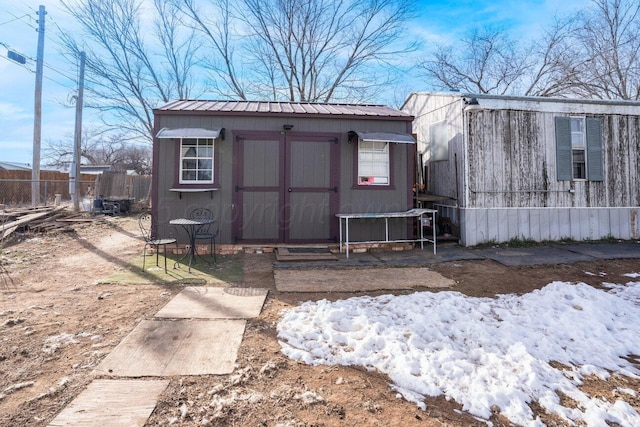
x: 482, y: 351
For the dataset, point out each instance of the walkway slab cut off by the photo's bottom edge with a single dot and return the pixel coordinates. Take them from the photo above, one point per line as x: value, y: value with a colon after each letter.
x: 107, y: 403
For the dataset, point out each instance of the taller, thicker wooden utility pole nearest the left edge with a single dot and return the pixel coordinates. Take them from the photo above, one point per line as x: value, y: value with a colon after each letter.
x: 37, y: 116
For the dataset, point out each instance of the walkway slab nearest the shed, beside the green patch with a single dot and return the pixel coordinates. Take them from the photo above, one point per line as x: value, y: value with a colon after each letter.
x: 198, y: 302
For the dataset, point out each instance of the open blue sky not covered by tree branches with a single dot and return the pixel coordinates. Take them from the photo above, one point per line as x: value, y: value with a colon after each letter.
x: 438, y: 21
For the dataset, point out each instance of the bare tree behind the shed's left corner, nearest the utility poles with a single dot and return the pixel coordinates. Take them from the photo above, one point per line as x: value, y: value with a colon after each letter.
x: 129, y: 70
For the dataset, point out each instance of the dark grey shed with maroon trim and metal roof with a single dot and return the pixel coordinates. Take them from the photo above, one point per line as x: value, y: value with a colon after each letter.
x: 279, y: 172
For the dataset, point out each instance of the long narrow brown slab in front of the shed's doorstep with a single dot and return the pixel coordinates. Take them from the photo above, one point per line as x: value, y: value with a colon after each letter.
x: 357, y: 279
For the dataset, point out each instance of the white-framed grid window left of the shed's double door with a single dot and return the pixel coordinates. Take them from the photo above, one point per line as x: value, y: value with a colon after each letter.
x: 196, y: 160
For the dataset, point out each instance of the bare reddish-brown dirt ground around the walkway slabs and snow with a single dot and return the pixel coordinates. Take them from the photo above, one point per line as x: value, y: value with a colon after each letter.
x: 59, y: 318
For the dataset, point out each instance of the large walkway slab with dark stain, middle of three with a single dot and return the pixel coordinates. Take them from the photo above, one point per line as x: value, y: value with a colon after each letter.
x: 183, y: 347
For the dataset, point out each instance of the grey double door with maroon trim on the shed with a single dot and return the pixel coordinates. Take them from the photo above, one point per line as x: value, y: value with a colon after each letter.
x: 286, y: 188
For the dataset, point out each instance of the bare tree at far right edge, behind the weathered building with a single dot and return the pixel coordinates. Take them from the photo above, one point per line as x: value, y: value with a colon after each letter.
x: 609, y: 43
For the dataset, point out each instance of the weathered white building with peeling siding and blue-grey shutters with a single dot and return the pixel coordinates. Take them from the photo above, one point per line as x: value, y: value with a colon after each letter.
x: 531, y: 168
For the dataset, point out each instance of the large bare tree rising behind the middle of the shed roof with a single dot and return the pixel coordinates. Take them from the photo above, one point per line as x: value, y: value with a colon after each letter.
x: 301, y: 50
